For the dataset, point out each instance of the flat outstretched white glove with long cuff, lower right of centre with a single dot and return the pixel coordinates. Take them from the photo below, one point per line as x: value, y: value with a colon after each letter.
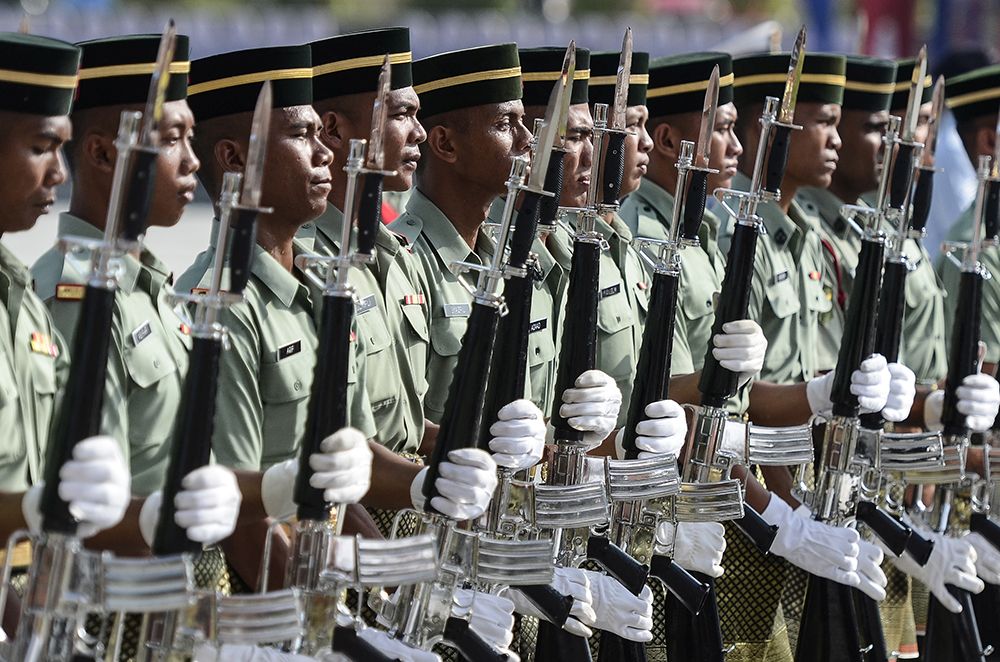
x: 819, y: 549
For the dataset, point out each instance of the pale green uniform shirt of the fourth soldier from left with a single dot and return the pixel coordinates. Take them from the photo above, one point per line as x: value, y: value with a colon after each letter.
x: 394, y: 342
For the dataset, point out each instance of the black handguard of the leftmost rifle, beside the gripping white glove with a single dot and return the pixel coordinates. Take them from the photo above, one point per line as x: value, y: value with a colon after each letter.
x: 80, y: 413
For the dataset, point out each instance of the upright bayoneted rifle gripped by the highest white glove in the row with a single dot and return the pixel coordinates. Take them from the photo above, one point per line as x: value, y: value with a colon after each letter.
x: 708, y: 493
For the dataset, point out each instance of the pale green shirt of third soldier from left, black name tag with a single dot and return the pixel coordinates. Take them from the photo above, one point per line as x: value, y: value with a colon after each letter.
x: 266, y: 375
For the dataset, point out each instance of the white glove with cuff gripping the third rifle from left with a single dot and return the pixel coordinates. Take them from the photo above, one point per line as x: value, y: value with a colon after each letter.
x: 342, y: 469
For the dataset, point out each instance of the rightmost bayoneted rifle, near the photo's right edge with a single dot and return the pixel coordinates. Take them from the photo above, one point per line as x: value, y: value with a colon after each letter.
x: 956, y: 636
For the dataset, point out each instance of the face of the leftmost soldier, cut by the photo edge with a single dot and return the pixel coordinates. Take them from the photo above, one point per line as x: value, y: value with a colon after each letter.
x: 31, y: 167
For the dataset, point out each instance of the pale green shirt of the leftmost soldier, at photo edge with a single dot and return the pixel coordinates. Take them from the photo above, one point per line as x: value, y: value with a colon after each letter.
x: 33, y: 367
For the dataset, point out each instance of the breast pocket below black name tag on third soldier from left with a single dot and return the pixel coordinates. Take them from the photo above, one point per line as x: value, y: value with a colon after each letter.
x: 284, y: 390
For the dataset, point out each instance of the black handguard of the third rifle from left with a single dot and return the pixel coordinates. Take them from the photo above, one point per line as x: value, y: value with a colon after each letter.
x: 327, y: 411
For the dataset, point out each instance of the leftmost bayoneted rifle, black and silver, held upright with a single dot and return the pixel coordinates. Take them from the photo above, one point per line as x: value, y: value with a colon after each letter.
x: 62, y: 582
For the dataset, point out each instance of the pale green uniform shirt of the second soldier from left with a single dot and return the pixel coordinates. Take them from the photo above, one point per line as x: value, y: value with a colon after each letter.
x: 147, y: 355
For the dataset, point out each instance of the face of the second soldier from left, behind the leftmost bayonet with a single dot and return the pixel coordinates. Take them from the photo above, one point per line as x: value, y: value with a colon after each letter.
x: 175, y: 167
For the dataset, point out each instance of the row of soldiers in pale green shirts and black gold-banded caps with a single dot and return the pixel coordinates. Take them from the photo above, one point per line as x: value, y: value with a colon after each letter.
x: 455, y: 124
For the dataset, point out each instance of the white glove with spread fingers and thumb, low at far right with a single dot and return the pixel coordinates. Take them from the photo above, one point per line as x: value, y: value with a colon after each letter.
x: 952, y: 561
